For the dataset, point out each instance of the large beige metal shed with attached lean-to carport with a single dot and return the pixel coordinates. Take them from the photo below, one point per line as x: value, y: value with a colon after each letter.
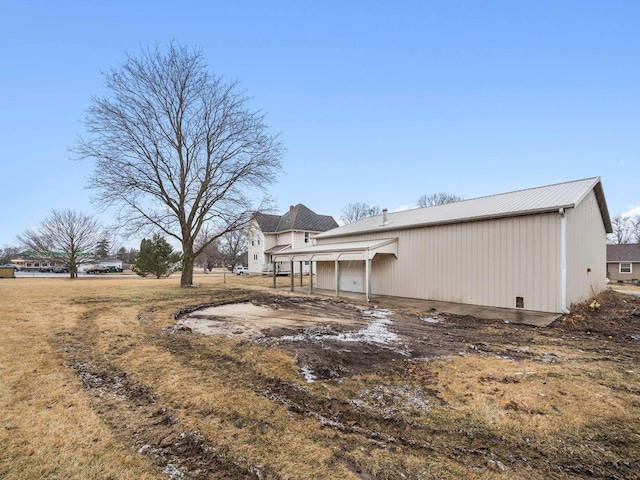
x: 538, y: 249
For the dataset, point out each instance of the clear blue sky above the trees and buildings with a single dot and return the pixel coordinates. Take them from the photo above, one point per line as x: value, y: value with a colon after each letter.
x: 375, y: 101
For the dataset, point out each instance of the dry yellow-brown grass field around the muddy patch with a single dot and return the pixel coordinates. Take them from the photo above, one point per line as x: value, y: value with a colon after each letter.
x: 96, y: 384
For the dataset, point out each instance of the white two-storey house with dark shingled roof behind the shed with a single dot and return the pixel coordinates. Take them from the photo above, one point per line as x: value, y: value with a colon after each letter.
x: 271, y: 234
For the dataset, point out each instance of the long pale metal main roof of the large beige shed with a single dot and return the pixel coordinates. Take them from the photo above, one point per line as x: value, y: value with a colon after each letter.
x: 522, y: 202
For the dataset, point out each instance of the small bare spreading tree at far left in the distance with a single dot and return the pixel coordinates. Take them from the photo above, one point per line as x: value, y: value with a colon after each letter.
x: 64, y: 236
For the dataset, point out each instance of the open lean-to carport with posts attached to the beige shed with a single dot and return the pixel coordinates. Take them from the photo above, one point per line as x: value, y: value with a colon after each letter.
x: 353, y: 252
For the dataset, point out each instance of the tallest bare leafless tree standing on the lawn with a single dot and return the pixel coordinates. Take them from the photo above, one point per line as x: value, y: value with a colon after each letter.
x: 177, y: 149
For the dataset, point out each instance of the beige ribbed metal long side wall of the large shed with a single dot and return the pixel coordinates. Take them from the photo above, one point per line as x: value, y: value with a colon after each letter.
x: 487, y: 262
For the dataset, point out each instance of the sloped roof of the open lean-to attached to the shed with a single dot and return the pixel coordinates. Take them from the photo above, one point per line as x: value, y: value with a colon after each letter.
x: 362, y: 250
